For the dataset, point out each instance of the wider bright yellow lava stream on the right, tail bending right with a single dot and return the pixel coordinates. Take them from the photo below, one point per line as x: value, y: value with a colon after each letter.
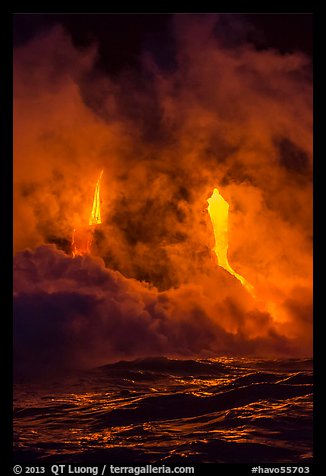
x: 218, y: 210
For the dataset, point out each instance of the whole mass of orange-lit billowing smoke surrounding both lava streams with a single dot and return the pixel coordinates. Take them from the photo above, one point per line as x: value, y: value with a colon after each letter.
x: 223, y: 115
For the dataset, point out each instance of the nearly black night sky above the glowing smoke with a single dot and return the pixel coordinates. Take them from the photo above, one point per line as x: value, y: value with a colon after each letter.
x: 122, y: 37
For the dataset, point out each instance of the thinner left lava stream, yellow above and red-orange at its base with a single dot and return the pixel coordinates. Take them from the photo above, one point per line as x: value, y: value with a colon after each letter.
x: 82, y: 237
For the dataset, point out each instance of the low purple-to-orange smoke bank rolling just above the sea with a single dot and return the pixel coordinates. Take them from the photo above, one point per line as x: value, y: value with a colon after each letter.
x: 73, y: 313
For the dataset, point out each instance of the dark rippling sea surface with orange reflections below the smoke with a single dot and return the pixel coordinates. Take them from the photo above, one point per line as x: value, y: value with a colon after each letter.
x: 163, y: 411
